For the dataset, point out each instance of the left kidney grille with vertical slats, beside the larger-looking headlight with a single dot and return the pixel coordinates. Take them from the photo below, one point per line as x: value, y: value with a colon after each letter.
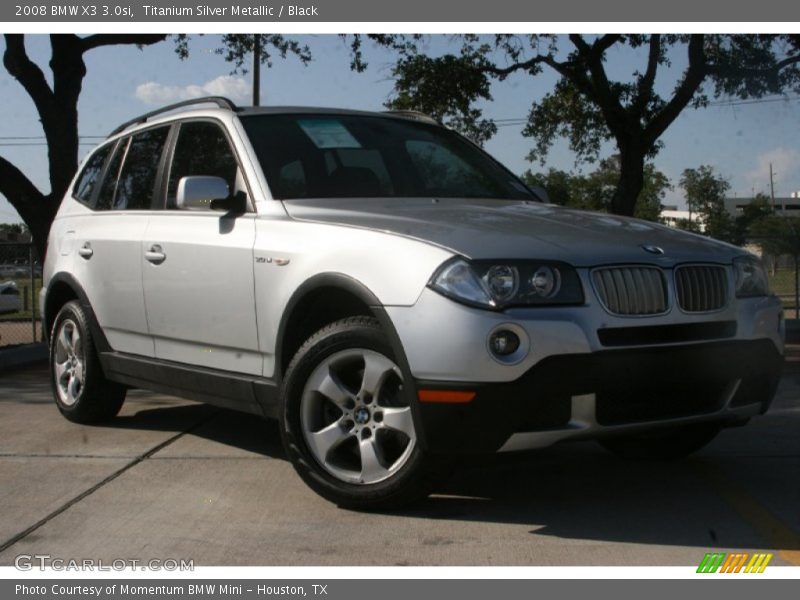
x: 631, y: 290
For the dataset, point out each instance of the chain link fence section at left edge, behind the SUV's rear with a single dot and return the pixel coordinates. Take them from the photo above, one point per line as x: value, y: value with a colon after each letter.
x: 20, y: 282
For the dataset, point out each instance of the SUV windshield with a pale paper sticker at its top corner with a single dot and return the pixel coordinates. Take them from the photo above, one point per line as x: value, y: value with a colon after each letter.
x: 345, y: 156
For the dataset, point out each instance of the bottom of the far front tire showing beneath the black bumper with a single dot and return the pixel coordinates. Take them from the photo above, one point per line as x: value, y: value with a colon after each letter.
x: 662, y: 444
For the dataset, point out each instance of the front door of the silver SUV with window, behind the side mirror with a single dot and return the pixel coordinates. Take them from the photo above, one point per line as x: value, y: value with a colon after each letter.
x: 198, y: 285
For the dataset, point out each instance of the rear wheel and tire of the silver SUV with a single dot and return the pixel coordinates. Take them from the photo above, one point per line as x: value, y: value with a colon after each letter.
x: 80, y: 389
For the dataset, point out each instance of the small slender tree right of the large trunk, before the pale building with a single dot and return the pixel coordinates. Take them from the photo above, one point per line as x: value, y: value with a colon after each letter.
x: 705, y: 195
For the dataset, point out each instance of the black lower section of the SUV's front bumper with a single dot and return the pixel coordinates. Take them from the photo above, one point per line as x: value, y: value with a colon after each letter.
x: 582, y: 396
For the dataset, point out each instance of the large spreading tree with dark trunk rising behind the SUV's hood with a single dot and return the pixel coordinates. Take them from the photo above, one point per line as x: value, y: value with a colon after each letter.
x: 587, y: 106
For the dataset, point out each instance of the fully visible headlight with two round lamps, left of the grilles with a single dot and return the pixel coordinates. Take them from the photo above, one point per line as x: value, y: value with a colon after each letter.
x: 502, y: 284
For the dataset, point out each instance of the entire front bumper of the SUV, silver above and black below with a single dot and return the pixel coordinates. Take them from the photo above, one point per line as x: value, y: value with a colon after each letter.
x: 586, y: 373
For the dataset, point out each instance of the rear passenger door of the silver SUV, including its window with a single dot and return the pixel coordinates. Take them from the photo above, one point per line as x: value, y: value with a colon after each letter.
x: 108, y: 241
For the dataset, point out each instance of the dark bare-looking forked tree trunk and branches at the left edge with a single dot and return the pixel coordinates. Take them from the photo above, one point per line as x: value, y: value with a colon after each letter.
x: 57, y: 105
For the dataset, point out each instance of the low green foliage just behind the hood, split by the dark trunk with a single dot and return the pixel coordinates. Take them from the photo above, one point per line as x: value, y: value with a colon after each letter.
x: 596, y: 190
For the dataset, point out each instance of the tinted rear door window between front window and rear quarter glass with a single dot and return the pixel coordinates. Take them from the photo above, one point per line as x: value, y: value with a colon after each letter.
x: 137, y: 180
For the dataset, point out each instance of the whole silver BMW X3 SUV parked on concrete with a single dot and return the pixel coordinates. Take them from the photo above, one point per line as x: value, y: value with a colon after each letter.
x: 393, y: 296
